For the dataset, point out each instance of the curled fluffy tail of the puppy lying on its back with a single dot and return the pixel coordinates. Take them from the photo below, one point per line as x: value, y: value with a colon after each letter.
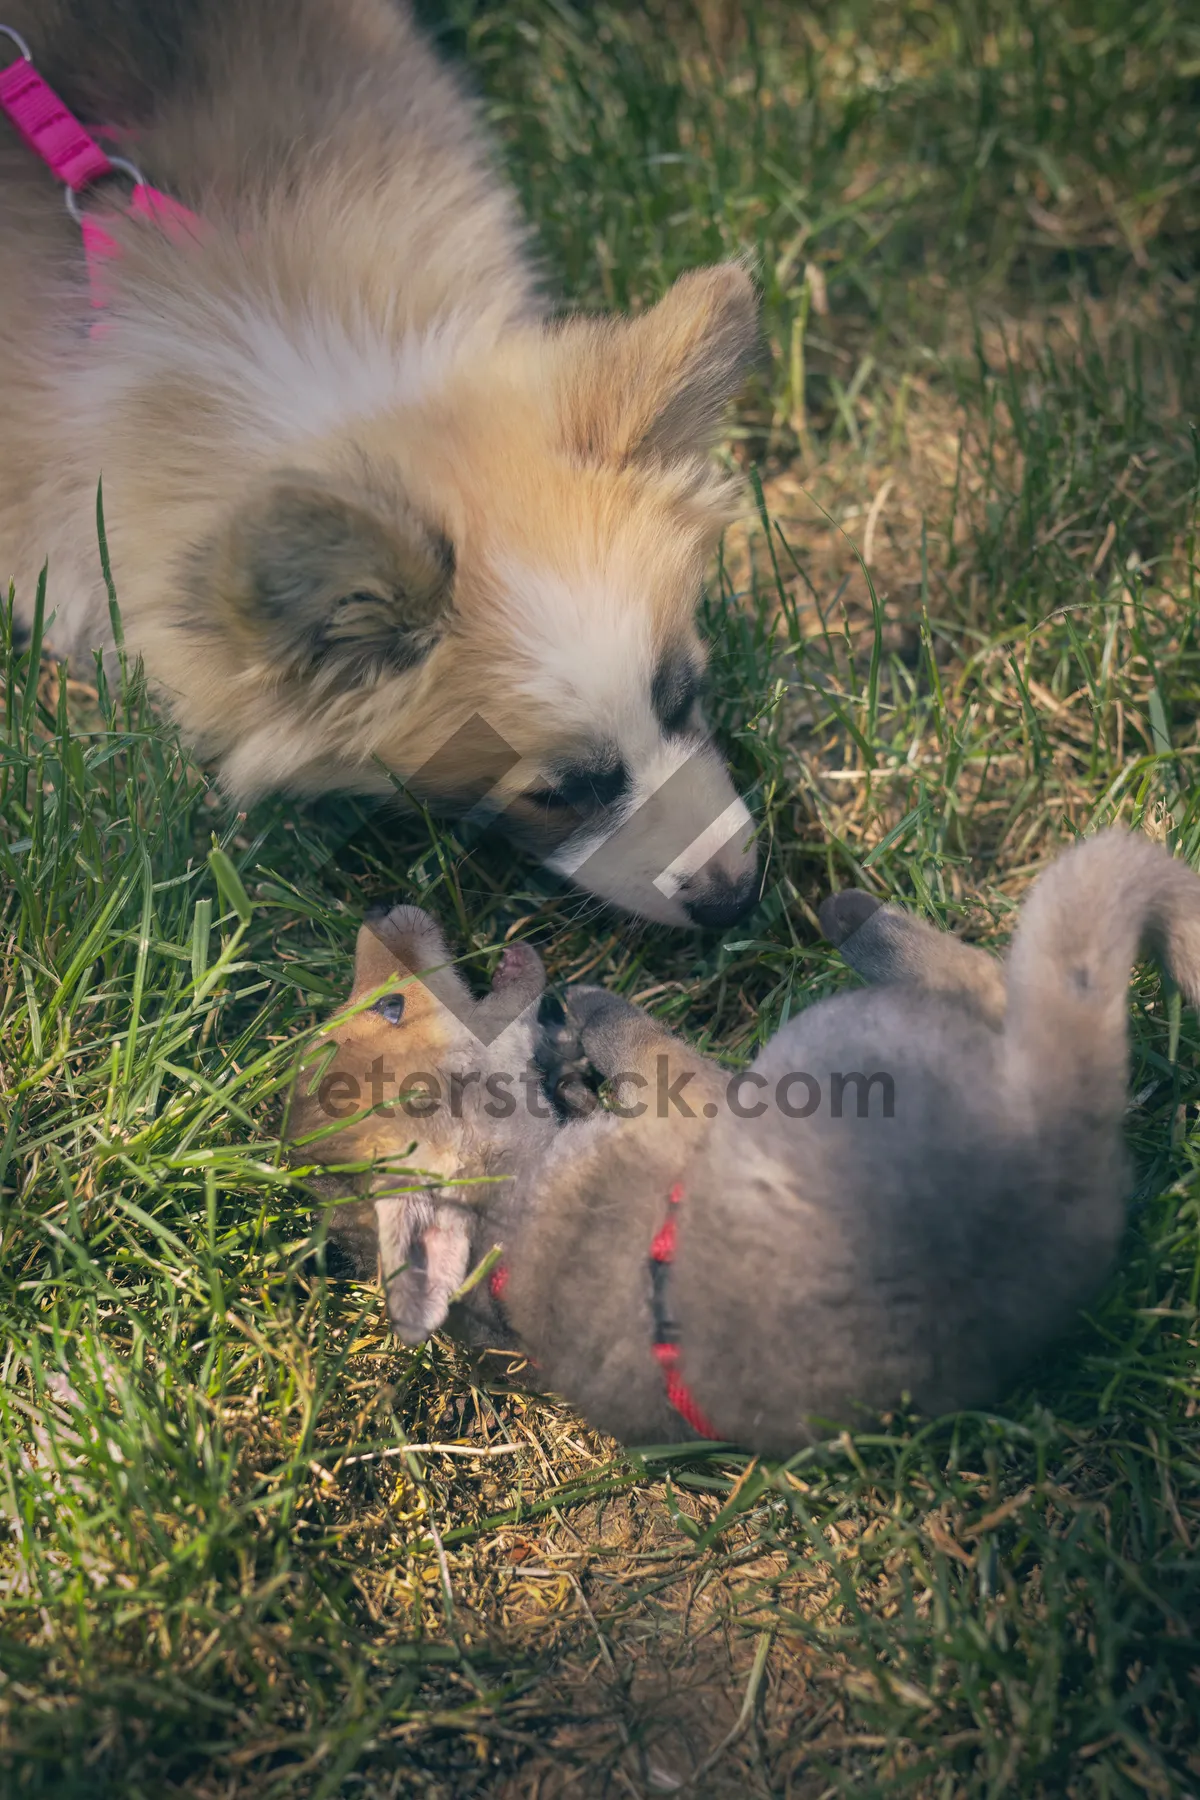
x: 1080, y: 931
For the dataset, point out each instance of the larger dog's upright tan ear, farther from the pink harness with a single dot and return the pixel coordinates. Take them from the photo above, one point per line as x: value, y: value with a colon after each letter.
x: 656, y: 388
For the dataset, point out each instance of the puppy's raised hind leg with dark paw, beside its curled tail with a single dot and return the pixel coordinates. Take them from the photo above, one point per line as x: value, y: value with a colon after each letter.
x: 895, y: 949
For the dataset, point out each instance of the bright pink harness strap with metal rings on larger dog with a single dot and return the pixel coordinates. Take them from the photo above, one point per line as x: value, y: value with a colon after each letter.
x: 78, y: 163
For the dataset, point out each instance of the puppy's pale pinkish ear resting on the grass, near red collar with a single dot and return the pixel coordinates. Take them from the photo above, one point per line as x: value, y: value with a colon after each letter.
x: 425, y: 1254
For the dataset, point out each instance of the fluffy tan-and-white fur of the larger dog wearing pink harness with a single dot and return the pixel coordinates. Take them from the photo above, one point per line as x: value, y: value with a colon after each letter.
x: 359, y: 321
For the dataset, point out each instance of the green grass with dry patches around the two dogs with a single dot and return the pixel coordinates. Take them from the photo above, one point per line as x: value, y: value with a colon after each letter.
x: 976, y: 231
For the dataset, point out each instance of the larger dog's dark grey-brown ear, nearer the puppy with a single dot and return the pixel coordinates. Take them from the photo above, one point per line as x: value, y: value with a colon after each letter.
x: 328, y: 582
